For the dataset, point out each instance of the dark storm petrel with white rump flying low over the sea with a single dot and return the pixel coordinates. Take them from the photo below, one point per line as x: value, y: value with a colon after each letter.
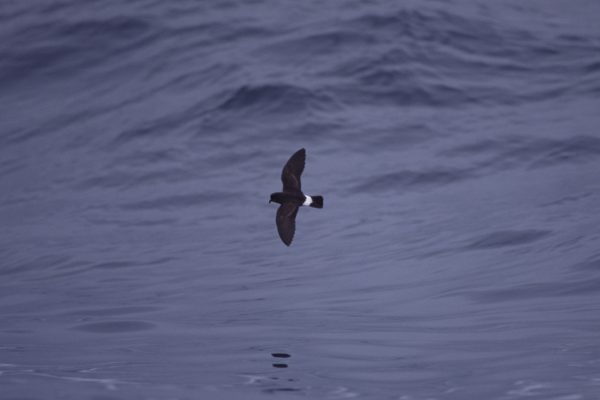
x: 291, y: 198
